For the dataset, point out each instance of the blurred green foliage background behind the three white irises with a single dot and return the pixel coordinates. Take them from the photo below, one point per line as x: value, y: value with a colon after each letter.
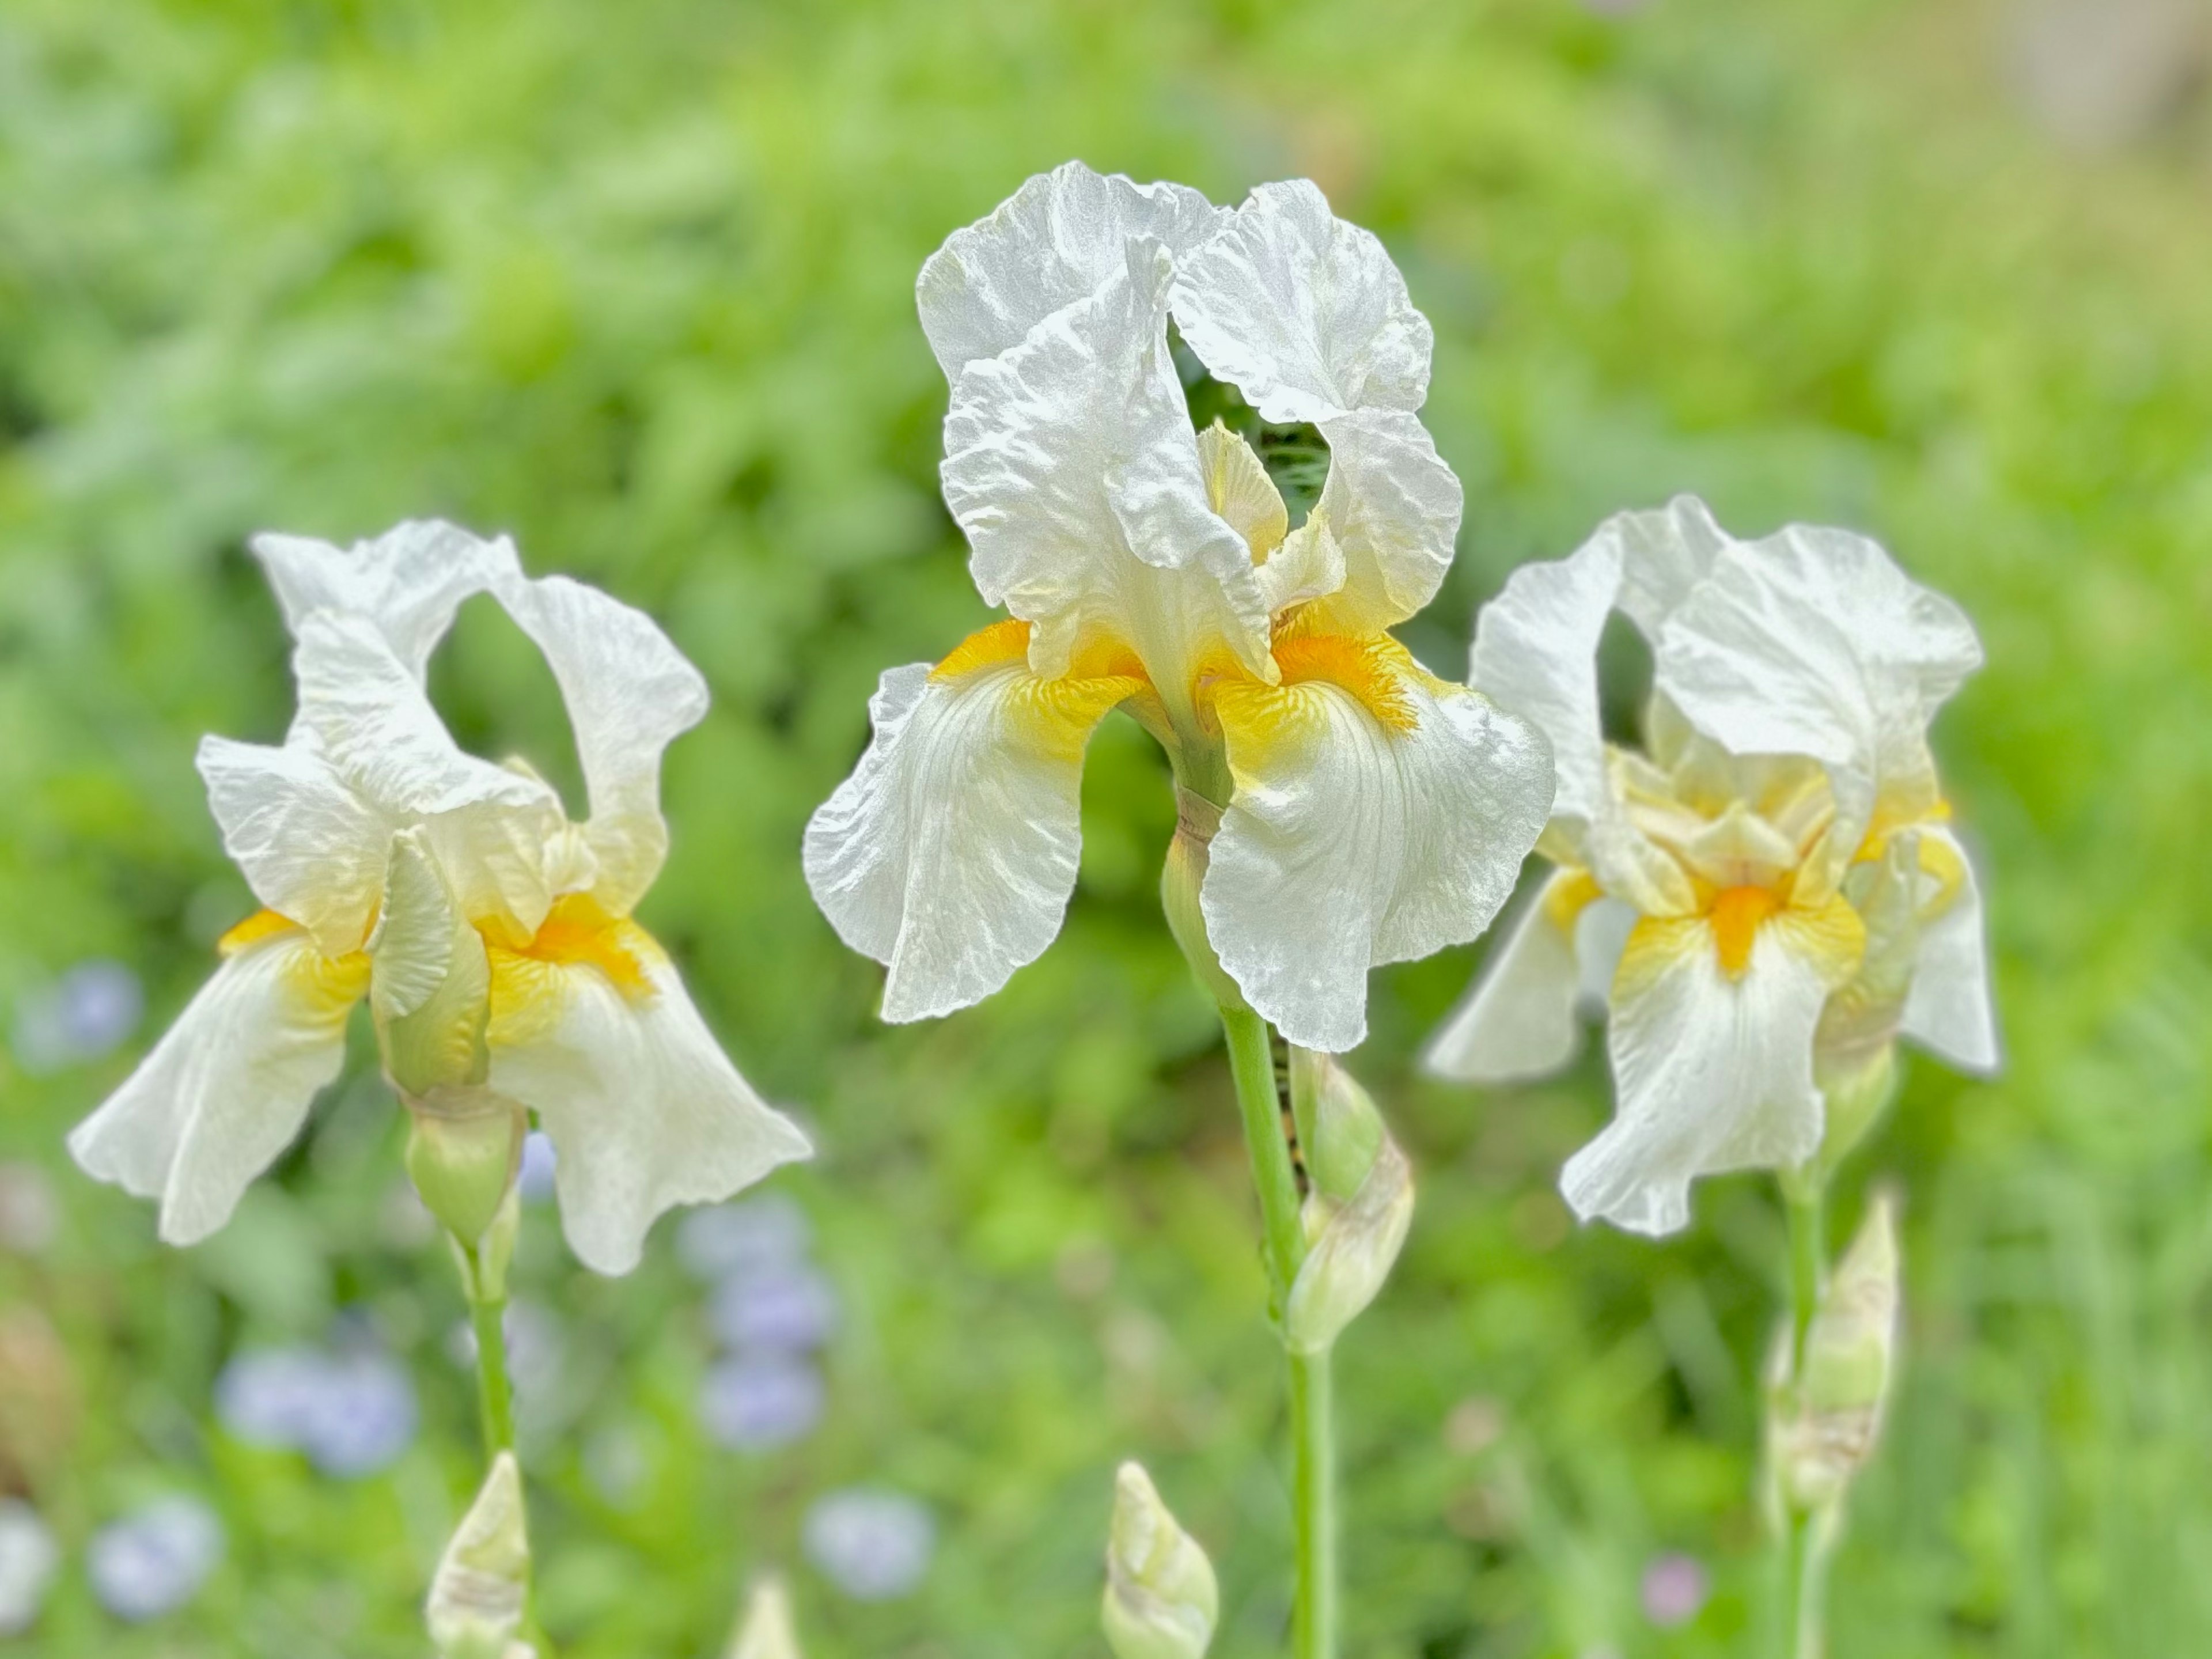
x: 636, y: 284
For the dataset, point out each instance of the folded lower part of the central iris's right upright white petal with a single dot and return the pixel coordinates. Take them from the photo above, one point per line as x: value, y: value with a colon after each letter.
x: 1395, y: 508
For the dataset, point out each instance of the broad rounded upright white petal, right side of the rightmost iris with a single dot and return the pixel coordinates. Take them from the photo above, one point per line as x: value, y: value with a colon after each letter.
x: 1815, y: 643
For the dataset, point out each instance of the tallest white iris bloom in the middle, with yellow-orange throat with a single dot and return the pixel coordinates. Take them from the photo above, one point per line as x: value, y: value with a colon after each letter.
x: 1361, y: 811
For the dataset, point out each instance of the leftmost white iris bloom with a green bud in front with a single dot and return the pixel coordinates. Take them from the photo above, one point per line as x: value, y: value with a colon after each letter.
x: 490, y: 932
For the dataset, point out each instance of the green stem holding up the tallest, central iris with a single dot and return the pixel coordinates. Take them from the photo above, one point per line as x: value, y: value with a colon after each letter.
x: 1313, y: 1439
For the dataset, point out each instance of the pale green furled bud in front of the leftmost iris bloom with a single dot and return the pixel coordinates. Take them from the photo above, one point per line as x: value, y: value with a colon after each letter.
x: 430, y: 981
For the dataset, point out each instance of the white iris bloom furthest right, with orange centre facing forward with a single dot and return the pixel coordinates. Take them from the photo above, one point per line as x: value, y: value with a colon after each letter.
x: 1768, y: 895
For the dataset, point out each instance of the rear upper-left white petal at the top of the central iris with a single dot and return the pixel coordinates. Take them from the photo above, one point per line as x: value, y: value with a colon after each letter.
x: 1050, y: 244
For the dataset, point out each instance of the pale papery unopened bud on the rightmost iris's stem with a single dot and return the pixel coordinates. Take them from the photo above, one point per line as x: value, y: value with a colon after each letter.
x: 1833, y: 1410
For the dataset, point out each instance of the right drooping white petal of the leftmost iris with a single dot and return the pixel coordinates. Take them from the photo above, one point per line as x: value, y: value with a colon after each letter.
x: 640, y: 1103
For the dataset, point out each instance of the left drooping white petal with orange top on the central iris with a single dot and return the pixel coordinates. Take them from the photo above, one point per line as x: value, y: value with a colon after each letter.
x: 952, y: 851
